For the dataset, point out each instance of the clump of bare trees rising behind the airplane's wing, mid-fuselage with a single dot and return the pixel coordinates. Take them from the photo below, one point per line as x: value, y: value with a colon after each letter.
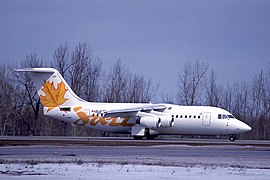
x: 122, y: 86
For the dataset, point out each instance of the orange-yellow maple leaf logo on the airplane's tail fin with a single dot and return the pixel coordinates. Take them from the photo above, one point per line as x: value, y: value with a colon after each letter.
x: 53, y: 96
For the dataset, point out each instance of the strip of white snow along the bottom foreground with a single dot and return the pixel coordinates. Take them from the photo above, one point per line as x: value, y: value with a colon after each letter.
x: 59, y: 171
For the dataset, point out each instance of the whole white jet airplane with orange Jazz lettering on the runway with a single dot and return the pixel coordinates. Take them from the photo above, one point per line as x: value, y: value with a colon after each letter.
x: 138, y: 119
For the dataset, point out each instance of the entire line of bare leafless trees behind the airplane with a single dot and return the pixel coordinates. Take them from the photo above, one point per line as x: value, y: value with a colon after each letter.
x: 21, y: 111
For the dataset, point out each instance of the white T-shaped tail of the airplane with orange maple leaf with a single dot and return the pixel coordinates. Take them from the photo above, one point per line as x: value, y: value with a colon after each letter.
x: 52, y: 89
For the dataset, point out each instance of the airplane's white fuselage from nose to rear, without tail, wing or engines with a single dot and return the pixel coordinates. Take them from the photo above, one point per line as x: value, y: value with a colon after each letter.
x: 201, y: 120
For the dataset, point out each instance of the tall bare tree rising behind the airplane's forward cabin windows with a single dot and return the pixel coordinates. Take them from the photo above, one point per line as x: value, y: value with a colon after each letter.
x: 190, y: 82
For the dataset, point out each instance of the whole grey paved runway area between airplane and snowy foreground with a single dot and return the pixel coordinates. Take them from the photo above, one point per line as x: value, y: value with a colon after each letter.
x: 156, y: 152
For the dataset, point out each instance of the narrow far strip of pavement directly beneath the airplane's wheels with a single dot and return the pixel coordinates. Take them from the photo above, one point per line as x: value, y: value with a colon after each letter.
x: 120, y: 141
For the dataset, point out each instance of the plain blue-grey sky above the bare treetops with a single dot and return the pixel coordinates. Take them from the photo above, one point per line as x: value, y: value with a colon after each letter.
x: 153, y: 38
